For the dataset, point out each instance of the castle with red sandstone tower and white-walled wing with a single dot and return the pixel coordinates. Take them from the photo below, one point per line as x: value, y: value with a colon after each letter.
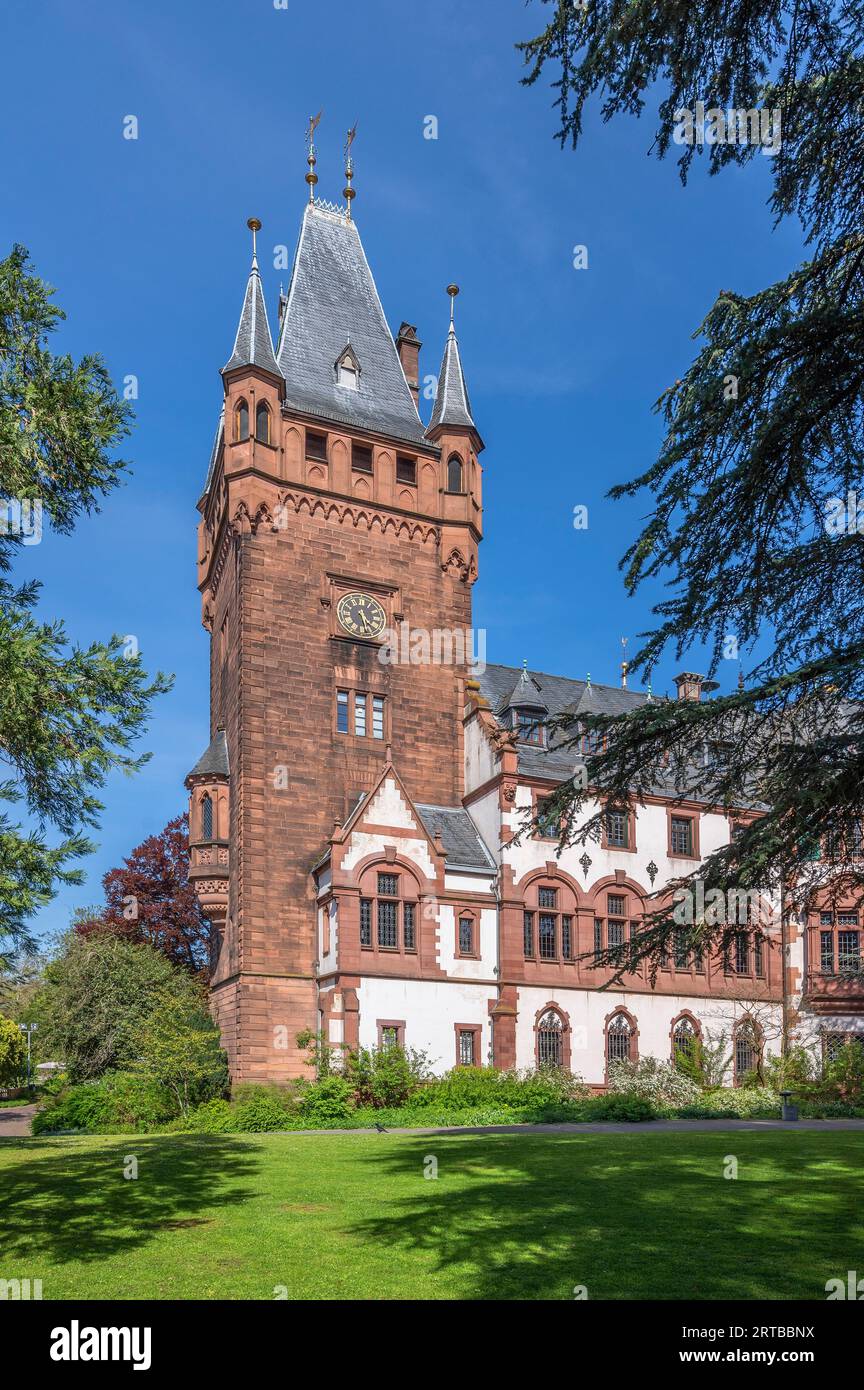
x: 355, y: 819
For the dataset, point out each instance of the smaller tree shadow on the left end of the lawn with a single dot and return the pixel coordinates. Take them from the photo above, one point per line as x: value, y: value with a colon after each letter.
x: 73, y: 1203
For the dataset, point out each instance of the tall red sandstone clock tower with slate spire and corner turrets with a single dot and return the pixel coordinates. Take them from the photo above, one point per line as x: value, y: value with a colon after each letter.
x: 331, y: 521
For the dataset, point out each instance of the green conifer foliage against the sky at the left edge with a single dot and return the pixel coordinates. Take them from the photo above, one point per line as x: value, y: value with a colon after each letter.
x: 69, y: 717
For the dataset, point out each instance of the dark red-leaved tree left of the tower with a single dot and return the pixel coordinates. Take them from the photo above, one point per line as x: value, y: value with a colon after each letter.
x: 151, y: 900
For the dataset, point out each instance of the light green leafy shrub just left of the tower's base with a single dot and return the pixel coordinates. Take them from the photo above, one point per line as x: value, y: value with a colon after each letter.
x: 180, y: 1047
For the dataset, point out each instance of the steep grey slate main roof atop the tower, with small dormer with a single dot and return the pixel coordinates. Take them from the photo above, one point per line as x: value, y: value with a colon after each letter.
x: 333, y: 301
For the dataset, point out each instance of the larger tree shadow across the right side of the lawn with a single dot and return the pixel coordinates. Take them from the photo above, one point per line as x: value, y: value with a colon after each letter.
x: 538, y: 1217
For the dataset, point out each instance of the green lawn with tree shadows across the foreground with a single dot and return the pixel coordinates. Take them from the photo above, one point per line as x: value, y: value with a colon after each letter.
x: 640, y: 1216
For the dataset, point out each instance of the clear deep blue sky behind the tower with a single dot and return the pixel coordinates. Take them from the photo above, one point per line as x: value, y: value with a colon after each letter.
x: 148, y: 247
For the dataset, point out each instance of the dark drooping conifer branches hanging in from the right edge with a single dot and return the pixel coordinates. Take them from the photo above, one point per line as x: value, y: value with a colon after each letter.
x: 756, y: 528
